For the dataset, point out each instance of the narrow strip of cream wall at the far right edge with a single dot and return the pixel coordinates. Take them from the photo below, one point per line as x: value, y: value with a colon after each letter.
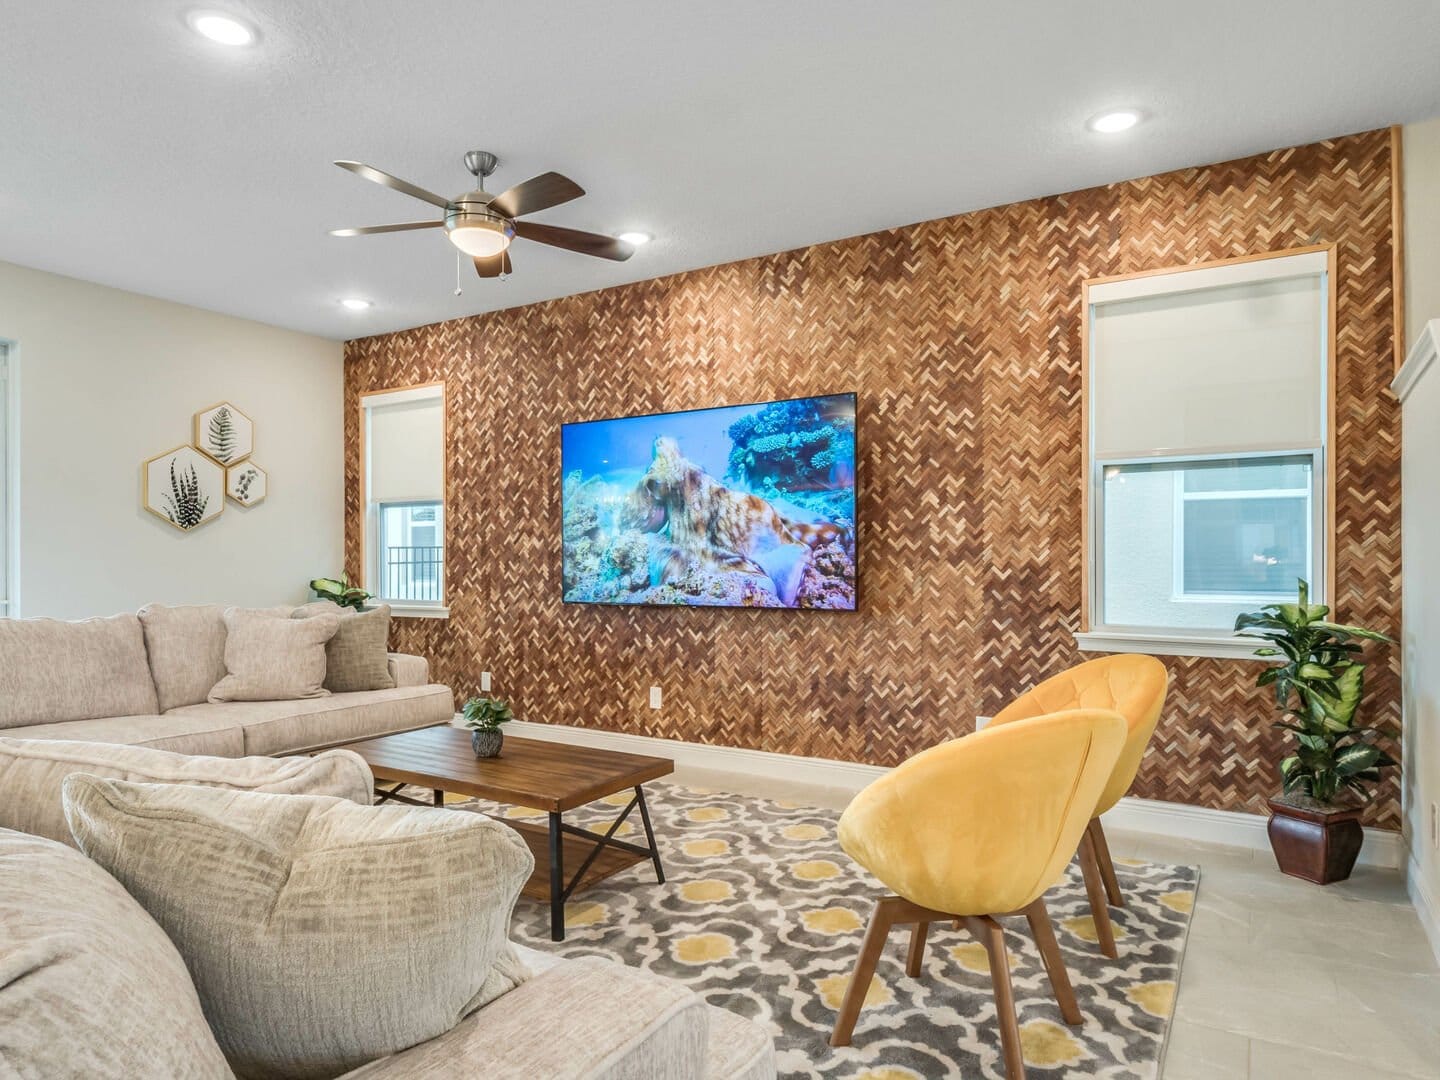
x: 1421, y: 513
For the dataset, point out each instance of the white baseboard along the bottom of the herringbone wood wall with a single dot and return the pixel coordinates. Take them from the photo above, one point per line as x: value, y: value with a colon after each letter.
x: 1173, y: 820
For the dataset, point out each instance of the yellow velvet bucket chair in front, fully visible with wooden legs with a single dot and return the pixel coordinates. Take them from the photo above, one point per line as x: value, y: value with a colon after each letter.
x: 977, y: 829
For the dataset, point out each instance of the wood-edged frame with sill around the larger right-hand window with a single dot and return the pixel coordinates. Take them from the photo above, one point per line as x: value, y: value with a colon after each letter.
x: 1099, y: 637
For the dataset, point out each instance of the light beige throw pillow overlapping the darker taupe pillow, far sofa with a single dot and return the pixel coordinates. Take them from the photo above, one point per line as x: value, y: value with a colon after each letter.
x: 274, y: 660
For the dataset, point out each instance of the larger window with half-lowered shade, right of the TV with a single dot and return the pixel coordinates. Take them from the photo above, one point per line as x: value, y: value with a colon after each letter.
x: 1207, y: 418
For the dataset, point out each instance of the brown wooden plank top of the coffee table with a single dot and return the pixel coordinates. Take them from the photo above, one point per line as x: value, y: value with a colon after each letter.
x: 529, y: 773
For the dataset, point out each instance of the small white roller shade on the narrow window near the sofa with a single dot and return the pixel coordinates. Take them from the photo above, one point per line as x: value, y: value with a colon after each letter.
x: 405, y: 443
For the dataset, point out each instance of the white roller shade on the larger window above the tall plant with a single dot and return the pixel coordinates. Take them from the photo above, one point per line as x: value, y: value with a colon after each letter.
x: 1210, y: 361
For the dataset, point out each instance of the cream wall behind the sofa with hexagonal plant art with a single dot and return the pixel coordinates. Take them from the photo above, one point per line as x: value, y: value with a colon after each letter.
x: 109, y: 379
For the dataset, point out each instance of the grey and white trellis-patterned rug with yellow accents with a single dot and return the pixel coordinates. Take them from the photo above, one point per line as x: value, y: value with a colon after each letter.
x: 762, y: 914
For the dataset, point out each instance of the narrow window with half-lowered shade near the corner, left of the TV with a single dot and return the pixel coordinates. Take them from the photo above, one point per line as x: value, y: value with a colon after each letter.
x: 405, y: 499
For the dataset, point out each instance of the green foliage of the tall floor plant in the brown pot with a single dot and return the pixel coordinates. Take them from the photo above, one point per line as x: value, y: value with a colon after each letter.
x: 1318, y: 686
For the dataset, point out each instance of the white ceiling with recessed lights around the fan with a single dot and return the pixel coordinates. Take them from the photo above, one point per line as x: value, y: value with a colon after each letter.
x: 138, y: 155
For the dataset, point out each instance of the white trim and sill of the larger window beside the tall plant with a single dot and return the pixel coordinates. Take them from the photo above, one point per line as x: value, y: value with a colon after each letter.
x: 1174, y: 642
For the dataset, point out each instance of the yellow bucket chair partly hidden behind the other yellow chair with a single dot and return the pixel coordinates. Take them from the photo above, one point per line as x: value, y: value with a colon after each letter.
x: 1134, y: 686
